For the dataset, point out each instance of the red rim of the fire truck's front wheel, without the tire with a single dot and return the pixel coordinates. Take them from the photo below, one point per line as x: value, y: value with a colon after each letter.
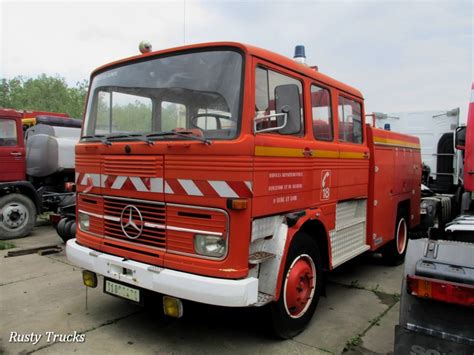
x: 300, y: 284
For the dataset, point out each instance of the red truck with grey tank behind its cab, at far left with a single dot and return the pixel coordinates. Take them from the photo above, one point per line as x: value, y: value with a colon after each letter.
x: 36, y: 163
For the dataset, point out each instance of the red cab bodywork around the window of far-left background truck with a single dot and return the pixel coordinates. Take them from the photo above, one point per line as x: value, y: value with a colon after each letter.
x: 12, y: 158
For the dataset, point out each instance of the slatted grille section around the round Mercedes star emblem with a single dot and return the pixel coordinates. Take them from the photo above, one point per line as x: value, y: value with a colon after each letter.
x: 153, y: 221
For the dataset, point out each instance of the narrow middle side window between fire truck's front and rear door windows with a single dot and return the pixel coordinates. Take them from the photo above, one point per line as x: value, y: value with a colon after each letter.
x: 321, y: 111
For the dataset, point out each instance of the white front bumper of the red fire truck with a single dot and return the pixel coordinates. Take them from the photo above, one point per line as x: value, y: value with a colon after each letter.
x: 214, y: 291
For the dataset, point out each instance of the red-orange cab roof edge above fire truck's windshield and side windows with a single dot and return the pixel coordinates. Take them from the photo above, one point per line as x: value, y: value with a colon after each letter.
x: 251, y: 51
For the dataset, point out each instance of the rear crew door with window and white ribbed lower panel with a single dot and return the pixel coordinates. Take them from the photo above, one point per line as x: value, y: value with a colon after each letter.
x: 350, y: 235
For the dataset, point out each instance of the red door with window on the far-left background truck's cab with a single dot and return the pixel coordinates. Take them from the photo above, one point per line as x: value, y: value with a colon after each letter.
x: 12, y: 150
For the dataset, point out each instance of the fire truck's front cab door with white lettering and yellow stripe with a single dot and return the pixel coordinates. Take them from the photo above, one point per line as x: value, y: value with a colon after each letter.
x: 283, y: 179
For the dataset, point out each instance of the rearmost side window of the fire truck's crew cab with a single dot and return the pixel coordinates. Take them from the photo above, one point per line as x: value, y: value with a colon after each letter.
x: 350, y: 120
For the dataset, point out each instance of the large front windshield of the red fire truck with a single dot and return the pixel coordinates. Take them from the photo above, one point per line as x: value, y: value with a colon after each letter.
x: 198, y: 92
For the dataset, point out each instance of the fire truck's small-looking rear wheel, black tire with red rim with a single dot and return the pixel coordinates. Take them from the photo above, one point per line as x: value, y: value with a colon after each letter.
x: 395, y: 250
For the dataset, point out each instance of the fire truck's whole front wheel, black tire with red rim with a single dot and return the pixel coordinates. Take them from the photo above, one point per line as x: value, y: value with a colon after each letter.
x: 289, y: 318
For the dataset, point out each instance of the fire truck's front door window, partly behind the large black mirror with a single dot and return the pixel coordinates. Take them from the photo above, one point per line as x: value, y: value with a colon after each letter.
x: 270, y: 89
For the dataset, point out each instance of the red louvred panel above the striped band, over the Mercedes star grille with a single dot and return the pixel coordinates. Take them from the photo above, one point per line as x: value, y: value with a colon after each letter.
x: 139, y: 166
